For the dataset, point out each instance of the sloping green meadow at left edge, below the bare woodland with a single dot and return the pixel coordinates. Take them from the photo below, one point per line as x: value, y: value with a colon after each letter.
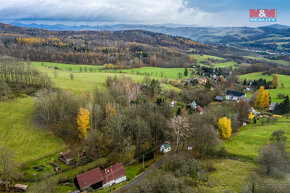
x: 18, y: 132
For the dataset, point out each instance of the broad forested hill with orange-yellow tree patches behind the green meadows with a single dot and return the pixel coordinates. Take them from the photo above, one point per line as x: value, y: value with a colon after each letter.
x: 132, y: 48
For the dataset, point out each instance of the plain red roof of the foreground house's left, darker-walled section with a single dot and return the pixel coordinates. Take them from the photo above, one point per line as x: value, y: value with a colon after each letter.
x: 89, y: 178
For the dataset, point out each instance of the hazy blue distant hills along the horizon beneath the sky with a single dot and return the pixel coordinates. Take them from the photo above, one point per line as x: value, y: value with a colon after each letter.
x: 274, y: 38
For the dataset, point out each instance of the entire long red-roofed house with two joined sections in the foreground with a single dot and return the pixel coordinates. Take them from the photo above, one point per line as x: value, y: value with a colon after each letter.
x: 95, y: 179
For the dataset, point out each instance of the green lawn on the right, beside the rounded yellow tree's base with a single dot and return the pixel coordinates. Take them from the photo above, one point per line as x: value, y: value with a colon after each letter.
x: 250, y: 138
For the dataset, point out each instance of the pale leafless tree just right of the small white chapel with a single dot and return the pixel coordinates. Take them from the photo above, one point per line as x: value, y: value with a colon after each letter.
x: 179, y: 129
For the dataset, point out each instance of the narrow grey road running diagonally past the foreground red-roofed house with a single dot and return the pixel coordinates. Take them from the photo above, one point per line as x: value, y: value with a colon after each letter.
x: 142, y: 176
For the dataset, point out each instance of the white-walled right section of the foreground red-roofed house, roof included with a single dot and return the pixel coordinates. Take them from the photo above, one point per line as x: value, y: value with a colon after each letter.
x: 114, y: 175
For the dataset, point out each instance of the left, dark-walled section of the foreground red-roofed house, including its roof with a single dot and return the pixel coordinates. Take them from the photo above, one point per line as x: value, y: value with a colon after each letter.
x: 92, y: 179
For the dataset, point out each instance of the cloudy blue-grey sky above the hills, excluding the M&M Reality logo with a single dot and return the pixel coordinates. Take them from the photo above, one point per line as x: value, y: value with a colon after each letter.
x: 183, y: 12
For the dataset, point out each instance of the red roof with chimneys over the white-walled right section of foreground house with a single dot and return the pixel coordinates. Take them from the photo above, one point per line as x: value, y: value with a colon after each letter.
x: 113, y: 172
